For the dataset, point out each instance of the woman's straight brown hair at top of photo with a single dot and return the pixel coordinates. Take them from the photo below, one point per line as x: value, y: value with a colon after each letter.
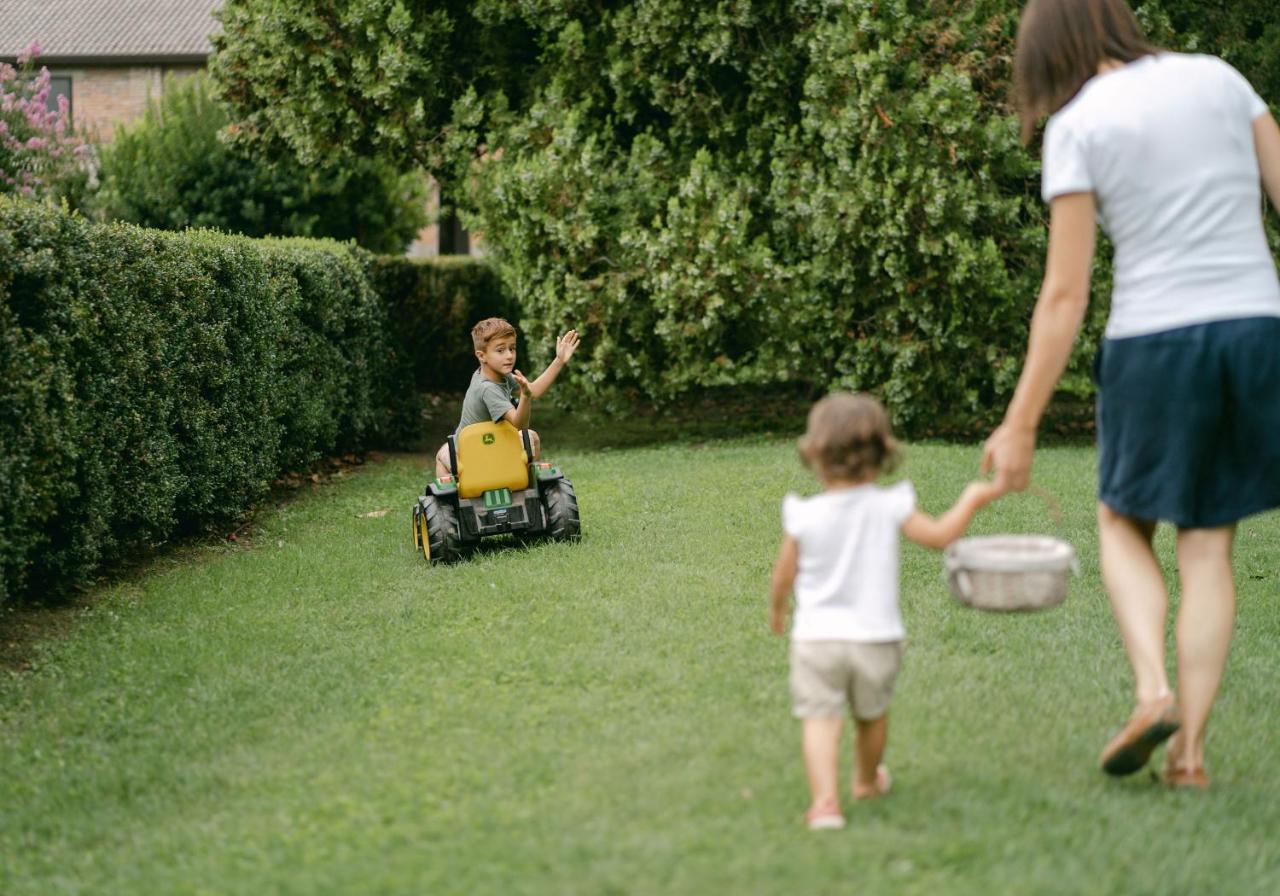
x: 1060, y: 47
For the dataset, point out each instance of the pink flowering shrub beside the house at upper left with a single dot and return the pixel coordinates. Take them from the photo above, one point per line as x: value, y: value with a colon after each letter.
x: 40, y: 156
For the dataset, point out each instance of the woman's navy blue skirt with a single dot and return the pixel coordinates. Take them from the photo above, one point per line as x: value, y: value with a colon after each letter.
x: 1190, y: 423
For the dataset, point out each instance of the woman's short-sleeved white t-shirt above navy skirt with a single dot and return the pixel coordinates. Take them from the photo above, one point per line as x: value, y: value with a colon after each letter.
x: 1165, y: 144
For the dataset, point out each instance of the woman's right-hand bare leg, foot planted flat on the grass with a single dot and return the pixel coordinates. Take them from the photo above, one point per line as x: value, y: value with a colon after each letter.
x: 1206, y: 618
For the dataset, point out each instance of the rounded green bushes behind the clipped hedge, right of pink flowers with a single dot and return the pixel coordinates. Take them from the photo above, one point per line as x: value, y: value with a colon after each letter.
x: 175, y: 171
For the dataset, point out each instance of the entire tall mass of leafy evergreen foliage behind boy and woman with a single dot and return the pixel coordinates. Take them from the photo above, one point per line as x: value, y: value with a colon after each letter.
x: 821, y: 193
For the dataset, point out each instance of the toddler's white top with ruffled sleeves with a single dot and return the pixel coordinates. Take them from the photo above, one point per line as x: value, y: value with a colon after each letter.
x: 847, y: 587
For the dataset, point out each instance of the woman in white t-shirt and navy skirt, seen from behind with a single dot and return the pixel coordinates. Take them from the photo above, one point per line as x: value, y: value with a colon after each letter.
x: 1169, y: 153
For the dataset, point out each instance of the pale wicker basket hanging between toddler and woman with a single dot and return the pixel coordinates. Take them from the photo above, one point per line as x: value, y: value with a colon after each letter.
x: 1011, y: 573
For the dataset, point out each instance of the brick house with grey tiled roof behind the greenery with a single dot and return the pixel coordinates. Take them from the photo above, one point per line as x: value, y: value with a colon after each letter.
x: 109, y: 57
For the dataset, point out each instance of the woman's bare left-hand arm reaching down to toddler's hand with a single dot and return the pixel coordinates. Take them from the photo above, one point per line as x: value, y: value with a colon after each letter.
x: 1059, y: 312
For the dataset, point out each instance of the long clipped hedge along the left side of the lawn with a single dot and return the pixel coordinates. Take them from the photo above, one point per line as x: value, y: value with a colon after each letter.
x: 154, y: 383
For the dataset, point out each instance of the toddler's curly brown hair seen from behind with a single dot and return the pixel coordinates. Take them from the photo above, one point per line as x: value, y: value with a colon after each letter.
x: 849, y: 437
